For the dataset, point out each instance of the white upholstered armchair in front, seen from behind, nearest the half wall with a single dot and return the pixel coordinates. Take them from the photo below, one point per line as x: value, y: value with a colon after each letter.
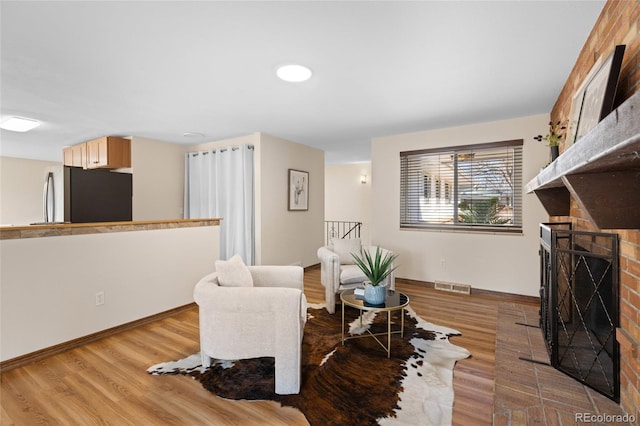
x: 266, y: 318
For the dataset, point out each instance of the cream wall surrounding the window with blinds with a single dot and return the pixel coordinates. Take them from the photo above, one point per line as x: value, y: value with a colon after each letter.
x: 505, y: 263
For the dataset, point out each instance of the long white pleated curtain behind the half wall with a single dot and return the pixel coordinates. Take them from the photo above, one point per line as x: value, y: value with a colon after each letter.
x: 219, y: 183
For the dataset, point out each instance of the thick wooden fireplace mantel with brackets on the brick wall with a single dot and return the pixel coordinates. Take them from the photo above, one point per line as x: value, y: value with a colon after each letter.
x: 601, y: 171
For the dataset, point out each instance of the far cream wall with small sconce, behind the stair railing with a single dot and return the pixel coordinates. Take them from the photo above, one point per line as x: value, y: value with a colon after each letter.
x: 346, y: 198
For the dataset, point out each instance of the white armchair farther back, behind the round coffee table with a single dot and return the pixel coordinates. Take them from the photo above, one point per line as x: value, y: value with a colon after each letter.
x: 339, y: 272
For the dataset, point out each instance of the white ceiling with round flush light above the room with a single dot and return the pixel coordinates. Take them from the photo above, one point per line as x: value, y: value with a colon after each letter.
x: 158, y: 69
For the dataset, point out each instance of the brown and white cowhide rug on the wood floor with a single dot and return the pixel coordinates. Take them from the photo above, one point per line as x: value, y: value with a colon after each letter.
x: 354, y: 383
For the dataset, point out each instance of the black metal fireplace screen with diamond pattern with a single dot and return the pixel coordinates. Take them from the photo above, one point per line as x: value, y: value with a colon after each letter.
x: 579, y: 304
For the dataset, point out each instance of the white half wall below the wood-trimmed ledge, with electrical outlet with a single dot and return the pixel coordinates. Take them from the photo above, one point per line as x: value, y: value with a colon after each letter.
x: 48, y: 285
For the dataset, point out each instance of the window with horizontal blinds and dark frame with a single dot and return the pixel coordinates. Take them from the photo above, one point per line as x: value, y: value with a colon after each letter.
x: 471, y: 186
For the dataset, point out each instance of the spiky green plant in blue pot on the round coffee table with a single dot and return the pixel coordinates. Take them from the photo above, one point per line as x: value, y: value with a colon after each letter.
x: 376, y: 268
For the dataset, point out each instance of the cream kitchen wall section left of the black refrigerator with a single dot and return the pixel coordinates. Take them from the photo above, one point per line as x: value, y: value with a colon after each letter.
x: 21, y: 185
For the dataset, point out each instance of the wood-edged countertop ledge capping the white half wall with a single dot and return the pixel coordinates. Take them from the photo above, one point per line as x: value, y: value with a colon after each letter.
x: 61, y: 229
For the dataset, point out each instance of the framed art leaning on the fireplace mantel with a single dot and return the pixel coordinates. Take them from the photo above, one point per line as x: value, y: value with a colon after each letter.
x: 600, y: 93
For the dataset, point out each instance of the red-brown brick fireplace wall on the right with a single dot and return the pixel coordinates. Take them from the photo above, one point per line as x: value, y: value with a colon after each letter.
x: 618, y: 24
